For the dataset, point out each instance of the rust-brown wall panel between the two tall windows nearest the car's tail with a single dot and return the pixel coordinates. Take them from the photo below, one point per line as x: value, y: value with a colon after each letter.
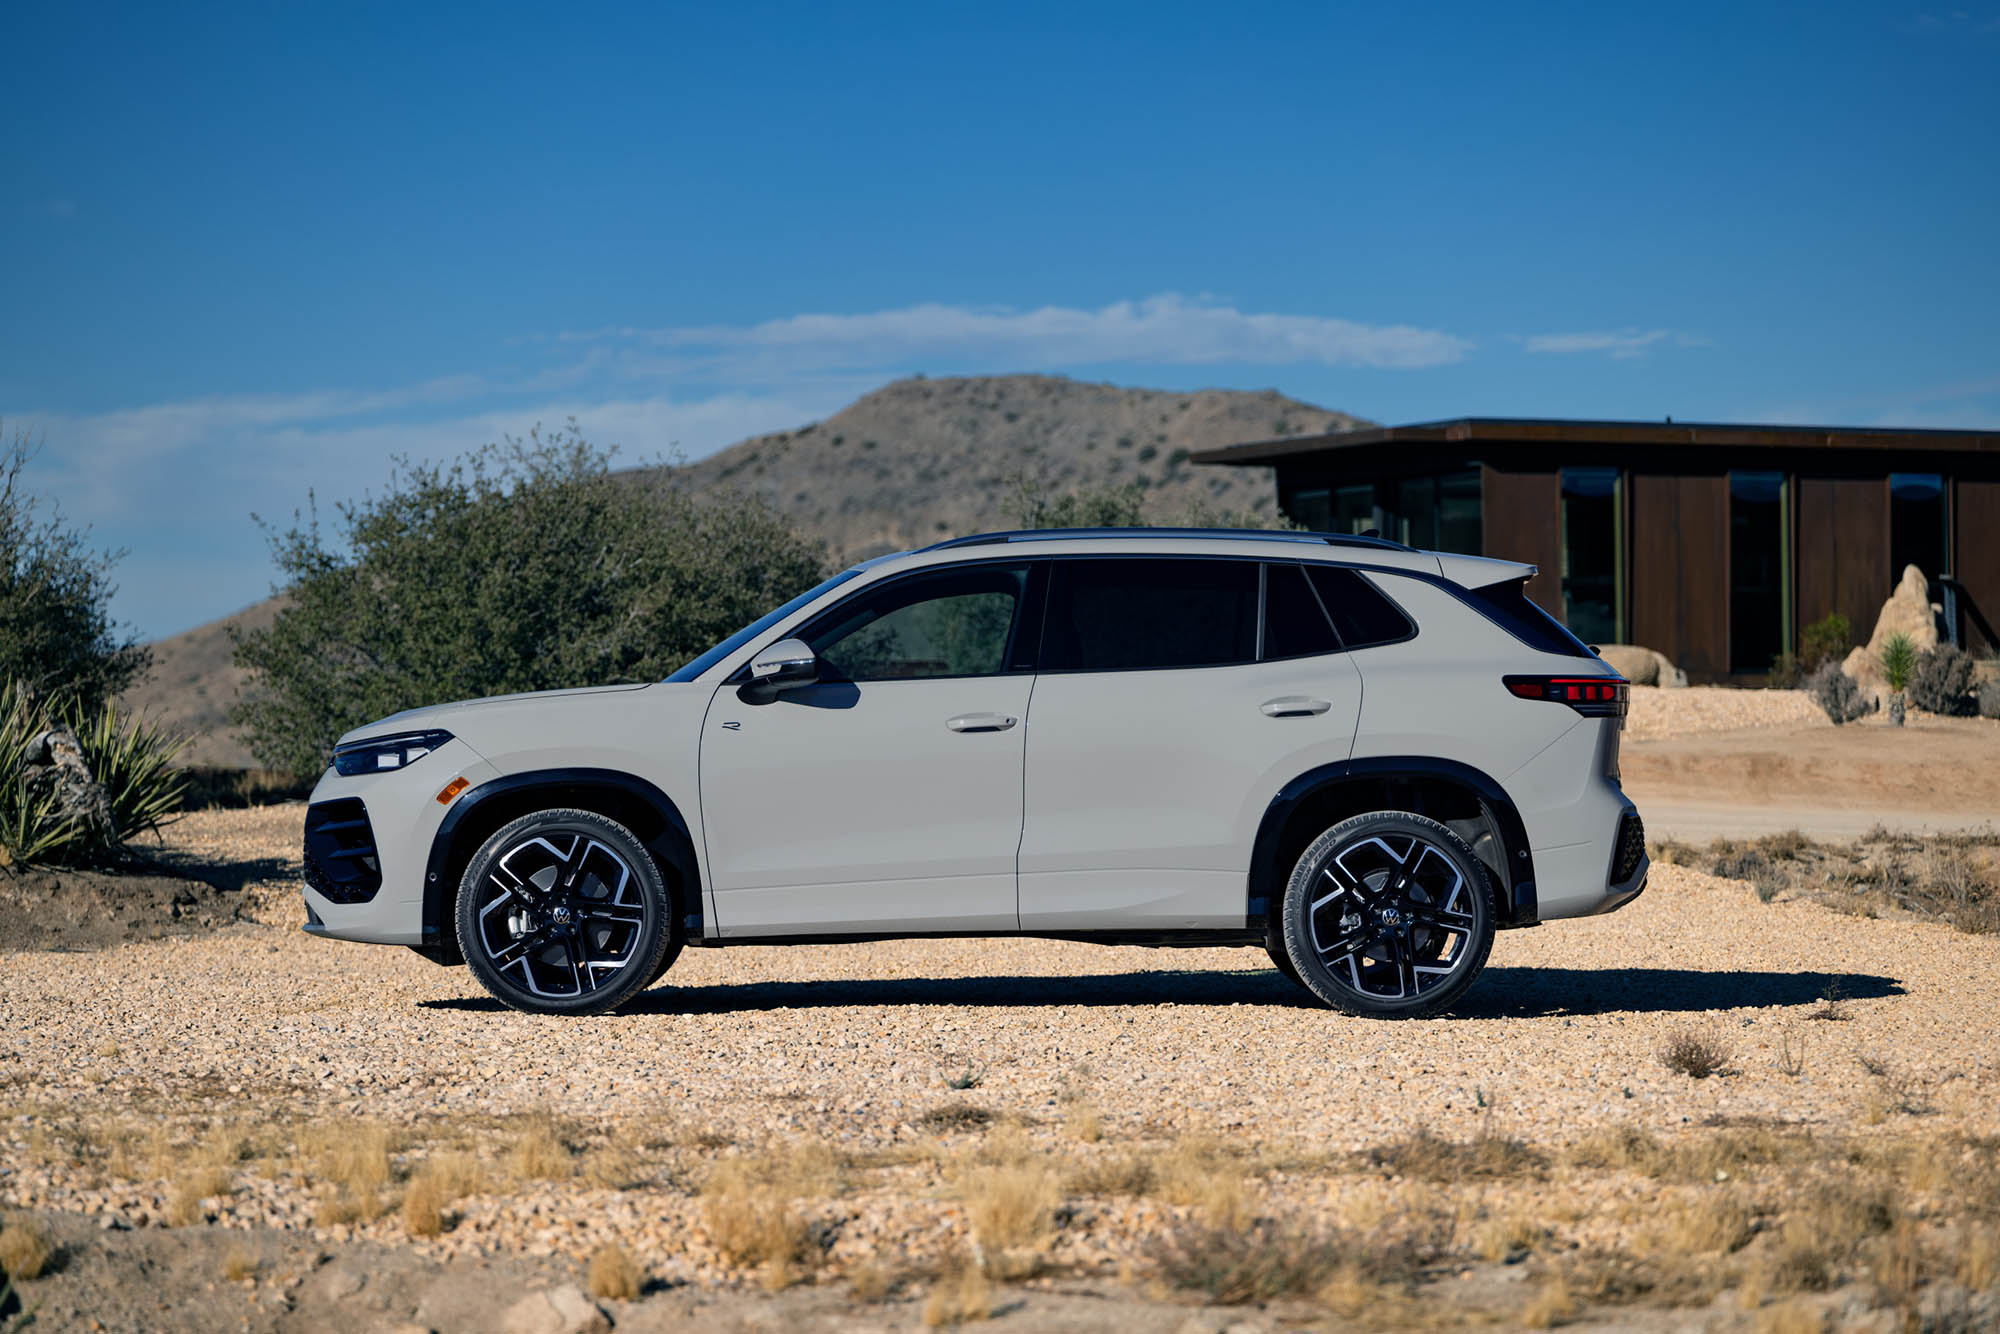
x: 1681, y: 571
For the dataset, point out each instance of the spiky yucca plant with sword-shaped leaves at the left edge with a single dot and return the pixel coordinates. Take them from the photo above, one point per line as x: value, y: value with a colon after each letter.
x: 133, y: 761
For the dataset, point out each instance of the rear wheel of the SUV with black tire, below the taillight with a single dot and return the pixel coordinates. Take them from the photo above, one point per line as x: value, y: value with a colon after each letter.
x: 1389, y: 915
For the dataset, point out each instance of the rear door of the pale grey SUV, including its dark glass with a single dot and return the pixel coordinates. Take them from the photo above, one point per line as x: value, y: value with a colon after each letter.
x: 1175, y: 699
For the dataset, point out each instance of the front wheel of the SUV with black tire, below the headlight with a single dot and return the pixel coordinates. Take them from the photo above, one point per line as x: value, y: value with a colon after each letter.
x: 565, y: 913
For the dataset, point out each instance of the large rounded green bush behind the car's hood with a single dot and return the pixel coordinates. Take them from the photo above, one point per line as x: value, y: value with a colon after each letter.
x: 521, y: 567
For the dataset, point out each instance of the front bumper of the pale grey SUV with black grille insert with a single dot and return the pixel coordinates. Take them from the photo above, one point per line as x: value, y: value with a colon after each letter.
x: 399, y: 819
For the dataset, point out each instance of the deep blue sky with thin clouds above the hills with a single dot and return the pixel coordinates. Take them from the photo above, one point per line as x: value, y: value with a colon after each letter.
x: 257, y: 251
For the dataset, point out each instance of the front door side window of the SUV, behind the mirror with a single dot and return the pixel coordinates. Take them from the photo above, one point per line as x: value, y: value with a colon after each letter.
x: 953, y: 623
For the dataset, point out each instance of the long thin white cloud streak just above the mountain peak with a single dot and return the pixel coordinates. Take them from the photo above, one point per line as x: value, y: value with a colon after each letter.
x: 1157, y: 331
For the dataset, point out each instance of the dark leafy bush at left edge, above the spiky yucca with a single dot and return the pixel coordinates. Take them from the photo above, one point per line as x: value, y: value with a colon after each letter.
x: 55, y: 595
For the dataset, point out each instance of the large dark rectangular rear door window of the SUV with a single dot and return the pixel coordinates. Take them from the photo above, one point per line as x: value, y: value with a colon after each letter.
x: 1119, y: 615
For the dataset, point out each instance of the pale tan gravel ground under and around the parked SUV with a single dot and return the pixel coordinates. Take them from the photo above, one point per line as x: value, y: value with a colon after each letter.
x: 745, y: 1049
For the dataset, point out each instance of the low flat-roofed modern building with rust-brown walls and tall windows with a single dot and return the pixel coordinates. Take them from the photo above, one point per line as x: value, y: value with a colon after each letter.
x: 1713, y: 543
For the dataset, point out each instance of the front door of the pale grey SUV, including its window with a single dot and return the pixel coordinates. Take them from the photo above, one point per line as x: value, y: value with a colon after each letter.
x: 887, y: 797
